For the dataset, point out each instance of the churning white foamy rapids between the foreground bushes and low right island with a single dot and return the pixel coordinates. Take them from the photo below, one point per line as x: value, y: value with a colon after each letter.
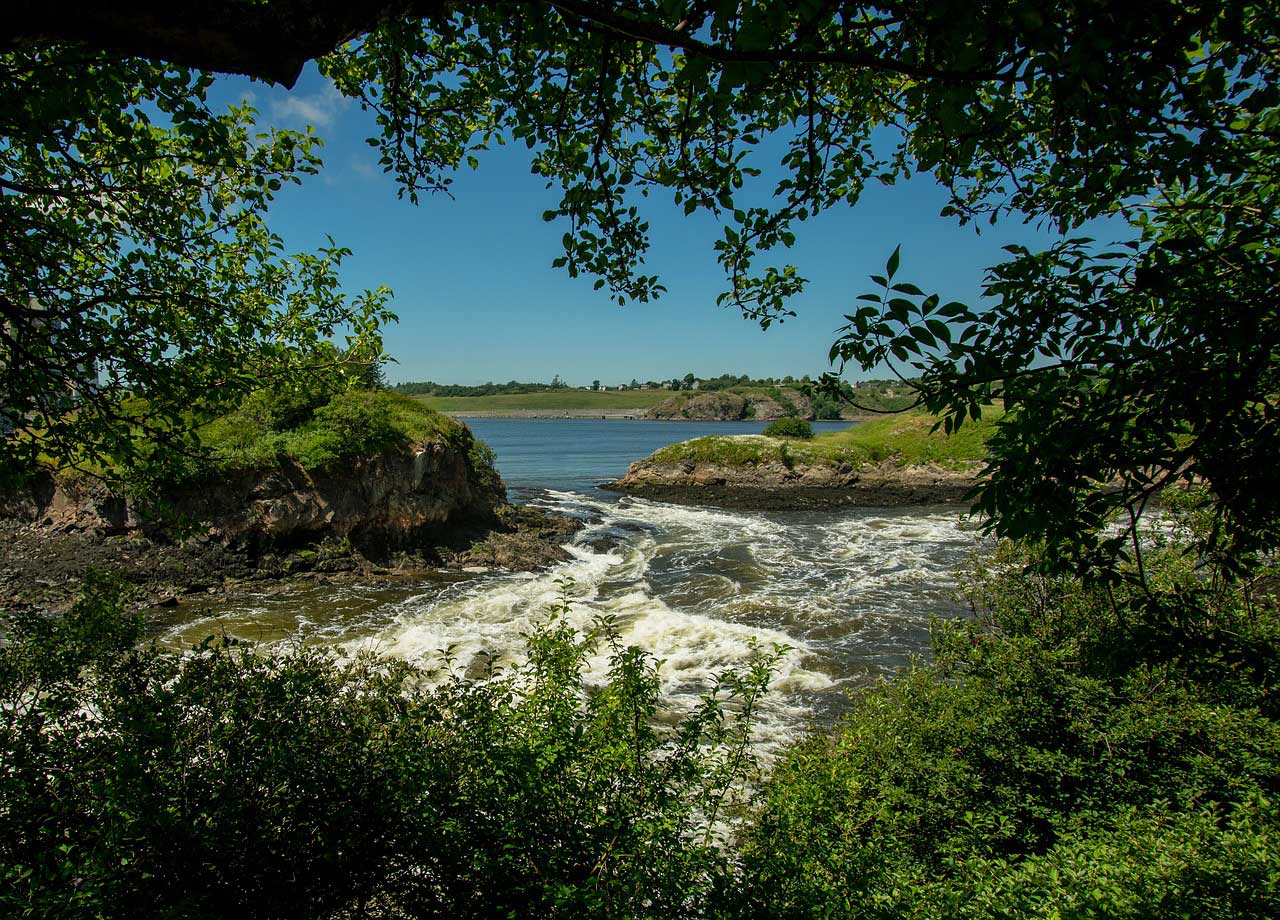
x: 844, y: 599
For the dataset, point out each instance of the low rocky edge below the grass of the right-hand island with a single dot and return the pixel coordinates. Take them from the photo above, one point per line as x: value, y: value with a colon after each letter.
x: 775, y: 486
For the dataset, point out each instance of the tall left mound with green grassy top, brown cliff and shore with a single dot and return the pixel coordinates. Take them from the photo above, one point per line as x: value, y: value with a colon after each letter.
x: 292, y: 483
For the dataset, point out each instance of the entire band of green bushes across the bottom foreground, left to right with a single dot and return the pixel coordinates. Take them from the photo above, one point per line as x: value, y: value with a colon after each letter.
x: 1073, y: 750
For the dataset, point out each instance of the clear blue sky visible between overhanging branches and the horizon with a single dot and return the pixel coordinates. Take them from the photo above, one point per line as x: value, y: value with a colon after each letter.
x: 479, y: 301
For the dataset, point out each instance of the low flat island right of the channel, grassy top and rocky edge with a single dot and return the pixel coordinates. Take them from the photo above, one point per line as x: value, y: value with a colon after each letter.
x: 895, y: 460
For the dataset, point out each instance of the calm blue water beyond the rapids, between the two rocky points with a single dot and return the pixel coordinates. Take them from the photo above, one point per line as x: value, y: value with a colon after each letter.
x: 574, y: 455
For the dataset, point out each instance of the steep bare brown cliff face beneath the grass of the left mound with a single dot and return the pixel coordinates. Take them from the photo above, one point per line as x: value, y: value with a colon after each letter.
x: 387, y: 498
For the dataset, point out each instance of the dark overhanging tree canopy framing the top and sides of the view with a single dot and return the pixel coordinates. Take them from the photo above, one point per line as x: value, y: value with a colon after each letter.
x: 1127, y: 365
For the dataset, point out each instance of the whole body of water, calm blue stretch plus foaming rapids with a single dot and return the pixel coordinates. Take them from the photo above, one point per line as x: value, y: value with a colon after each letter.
x: 851, y: 594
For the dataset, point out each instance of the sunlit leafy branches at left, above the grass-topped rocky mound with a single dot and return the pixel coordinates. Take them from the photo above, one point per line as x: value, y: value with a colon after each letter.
x: 141, y: 267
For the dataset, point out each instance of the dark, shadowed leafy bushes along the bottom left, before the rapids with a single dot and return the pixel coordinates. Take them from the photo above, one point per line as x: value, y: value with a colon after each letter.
x: 227, y: 782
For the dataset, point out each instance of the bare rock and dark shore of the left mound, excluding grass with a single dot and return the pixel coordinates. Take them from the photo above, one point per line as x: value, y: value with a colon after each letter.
x: 392, y: 511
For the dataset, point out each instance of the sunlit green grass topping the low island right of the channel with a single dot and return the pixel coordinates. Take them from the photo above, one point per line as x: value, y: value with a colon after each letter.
x: 907, y: 440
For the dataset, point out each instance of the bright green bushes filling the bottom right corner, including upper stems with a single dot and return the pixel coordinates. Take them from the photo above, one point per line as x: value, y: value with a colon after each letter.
x: 1080, y: 750
